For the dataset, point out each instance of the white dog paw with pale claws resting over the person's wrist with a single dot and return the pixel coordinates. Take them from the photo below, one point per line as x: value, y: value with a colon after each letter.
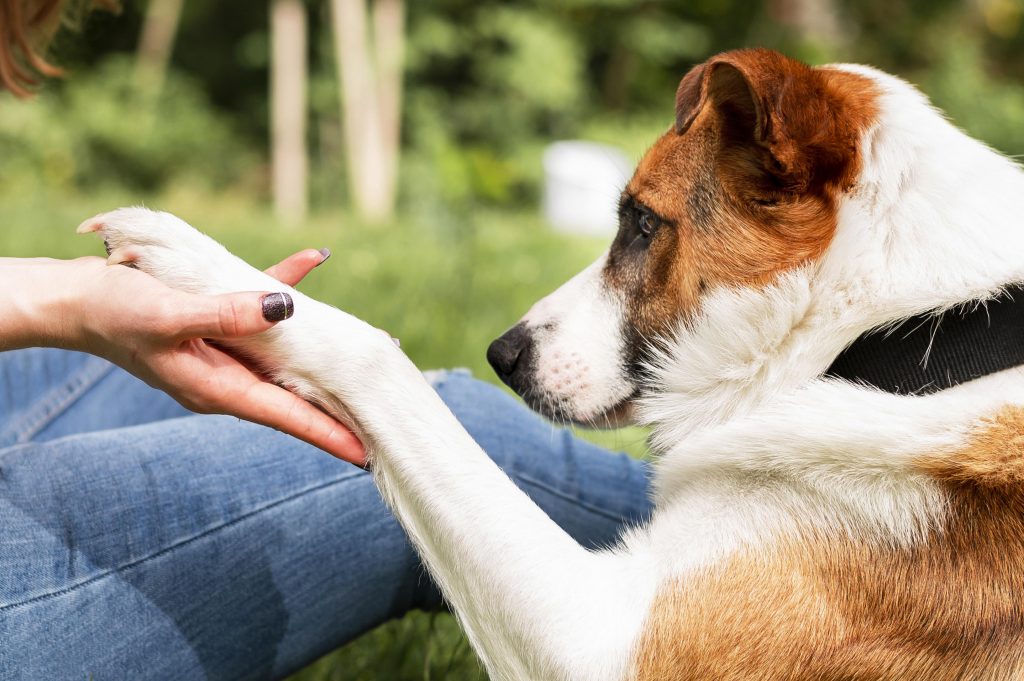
x: 169, y: 249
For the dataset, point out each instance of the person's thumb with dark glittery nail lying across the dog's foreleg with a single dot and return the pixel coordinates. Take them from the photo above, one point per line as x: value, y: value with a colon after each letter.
x: 235, y: 315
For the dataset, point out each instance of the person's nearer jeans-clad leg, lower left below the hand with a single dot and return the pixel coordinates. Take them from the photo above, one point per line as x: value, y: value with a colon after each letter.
x: 200, y: 547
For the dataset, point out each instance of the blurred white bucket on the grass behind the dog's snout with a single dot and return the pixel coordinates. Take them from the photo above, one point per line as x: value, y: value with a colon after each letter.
x: 582, y: 184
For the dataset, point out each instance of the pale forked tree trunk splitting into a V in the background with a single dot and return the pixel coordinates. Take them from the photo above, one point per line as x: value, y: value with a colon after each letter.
x: 370, y: 65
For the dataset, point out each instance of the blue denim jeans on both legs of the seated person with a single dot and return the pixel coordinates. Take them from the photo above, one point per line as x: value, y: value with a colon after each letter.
x: 139, y: 541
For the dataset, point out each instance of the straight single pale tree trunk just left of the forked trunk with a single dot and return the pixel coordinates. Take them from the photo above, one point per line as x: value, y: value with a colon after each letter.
x: 288, y: 110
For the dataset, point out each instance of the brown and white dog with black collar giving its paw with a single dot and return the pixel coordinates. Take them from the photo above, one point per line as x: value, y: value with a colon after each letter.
x: 807, y: 526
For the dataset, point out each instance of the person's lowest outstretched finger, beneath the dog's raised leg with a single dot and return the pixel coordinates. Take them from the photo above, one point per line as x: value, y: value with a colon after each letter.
x: 275, y: 407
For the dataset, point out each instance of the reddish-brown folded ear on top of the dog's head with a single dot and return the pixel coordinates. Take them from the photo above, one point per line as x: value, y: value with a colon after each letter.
x: 774, y: 108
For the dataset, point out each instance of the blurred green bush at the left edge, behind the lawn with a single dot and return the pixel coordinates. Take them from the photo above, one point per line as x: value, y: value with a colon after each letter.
x: 103, y: 129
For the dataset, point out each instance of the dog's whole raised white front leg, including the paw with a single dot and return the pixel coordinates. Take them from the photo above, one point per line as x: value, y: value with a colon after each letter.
x: 534, y: 603
